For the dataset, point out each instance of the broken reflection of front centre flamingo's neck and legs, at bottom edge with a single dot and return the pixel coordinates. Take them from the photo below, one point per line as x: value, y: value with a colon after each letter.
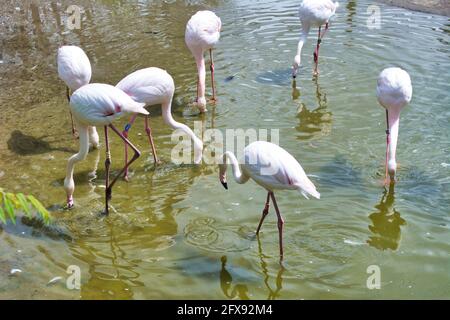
x: 240, y: 290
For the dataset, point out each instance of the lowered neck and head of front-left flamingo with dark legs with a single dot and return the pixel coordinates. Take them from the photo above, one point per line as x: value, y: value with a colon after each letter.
x: 69, y: 184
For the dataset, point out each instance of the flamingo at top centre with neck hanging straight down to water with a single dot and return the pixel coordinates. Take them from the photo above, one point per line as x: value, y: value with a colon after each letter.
x: 202, y: 33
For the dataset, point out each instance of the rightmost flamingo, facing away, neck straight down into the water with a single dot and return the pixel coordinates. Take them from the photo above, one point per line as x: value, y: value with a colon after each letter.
x: 394, y: 91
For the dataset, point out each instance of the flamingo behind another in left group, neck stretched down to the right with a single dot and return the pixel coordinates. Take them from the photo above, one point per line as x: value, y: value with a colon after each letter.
x: 155, y: 86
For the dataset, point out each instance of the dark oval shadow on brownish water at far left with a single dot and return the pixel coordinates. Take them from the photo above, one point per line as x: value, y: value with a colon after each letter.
x: 23, y: 144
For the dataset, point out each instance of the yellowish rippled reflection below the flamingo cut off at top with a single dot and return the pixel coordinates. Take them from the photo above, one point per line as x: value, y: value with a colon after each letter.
x: 313, y: 121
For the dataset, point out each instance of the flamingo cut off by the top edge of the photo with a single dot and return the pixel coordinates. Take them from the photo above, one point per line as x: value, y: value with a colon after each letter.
x: 313, y: 13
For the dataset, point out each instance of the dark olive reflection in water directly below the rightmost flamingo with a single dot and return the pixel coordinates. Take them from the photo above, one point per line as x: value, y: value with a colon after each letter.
x: 386, y: 223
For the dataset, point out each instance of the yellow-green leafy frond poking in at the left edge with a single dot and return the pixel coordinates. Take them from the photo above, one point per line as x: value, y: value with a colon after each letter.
x: 10, y: 203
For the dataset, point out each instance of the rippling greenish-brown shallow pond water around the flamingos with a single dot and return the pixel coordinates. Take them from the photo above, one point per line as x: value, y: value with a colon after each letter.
x: 174, y: 232
